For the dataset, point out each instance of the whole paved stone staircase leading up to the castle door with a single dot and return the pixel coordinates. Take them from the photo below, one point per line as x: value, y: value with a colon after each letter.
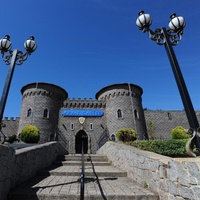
x: 62, y: 181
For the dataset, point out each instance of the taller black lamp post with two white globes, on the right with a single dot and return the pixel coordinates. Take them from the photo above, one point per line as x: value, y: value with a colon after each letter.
x: 170, y: 38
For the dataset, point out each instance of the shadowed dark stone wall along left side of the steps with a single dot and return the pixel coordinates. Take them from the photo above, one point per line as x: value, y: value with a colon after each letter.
x: 17, y: 166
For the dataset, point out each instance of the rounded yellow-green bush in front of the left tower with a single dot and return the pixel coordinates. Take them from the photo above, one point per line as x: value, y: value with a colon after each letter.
x: 30, y: 134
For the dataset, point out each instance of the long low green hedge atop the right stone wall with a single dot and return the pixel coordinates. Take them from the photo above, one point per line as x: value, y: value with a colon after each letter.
x: 171, y: 147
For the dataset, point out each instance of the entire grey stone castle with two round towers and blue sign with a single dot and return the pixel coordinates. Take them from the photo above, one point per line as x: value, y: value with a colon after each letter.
x: 74, y: 121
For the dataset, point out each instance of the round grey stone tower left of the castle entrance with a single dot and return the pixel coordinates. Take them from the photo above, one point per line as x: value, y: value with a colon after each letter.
x: 40, y: 107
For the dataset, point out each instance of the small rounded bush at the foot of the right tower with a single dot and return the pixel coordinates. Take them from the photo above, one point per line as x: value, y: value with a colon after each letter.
x: 126, y: 135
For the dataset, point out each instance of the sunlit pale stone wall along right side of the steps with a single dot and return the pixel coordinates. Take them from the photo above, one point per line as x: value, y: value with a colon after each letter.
x: 171, y: 178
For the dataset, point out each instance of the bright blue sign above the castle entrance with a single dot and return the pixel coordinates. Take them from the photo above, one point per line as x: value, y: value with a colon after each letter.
x: 82, y: 113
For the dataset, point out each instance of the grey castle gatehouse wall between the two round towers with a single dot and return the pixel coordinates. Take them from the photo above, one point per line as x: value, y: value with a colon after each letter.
x: 68, y: 127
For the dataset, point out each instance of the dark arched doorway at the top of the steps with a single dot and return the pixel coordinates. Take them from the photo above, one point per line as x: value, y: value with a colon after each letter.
x: 81, y: 139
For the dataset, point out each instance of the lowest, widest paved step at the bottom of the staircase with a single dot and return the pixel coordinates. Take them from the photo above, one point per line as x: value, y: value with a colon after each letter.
x: 68, y: 188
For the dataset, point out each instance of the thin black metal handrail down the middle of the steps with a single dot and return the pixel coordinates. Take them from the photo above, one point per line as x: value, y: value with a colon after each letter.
x: 82, y: 177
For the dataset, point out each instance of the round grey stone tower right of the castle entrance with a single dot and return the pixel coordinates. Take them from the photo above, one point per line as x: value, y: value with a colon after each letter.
x: 124, y: 108
